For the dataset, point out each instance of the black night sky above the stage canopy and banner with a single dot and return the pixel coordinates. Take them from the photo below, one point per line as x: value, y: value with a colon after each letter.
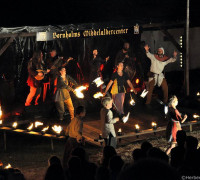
x: 37, y: 13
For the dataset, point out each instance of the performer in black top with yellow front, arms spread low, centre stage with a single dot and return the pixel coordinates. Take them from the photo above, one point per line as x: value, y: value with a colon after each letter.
x: 118, y: 80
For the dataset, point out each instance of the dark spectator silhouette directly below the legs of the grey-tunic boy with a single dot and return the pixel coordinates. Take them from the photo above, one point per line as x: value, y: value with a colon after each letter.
x: 108, y: 152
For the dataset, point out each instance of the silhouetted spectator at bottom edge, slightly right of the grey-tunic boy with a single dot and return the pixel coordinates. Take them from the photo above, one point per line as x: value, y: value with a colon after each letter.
x: 115, y: 166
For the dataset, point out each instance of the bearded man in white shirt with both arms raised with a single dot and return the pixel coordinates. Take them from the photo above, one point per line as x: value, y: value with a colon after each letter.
x: 156, y: 77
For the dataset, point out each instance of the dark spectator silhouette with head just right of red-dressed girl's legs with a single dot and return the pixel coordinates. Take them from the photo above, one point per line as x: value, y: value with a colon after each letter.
x: 177, y: 153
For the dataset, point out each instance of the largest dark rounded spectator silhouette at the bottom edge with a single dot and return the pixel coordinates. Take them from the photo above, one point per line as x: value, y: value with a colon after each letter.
x: 151, y: 169
